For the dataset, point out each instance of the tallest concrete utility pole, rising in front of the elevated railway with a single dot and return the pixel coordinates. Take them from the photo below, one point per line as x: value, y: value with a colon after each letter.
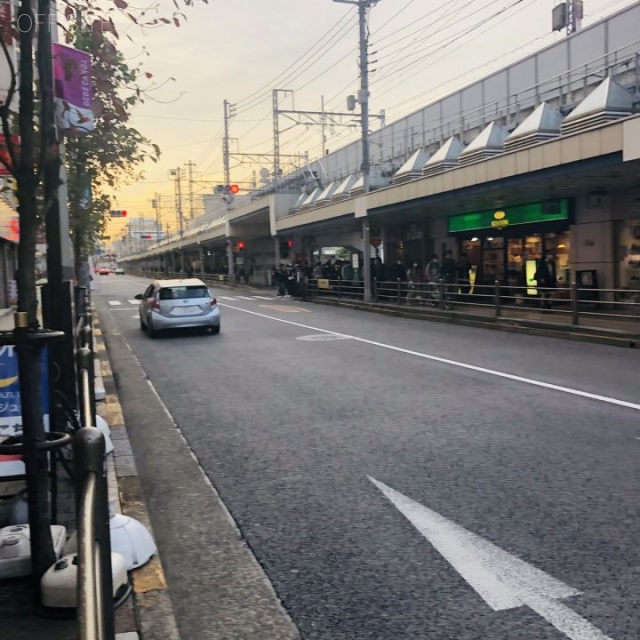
x: 363, y: 99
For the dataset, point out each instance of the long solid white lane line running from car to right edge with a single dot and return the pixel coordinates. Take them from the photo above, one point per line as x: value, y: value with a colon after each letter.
x: 455, y: 363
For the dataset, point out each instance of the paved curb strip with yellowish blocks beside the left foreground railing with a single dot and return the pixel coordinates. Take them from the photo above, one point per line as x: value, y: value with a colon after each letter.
x: 150, y: 614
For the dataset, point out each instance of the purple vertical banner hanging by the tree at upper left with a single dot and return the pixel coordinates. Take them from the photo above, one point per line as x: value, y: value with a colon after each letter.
x: 73, y: 90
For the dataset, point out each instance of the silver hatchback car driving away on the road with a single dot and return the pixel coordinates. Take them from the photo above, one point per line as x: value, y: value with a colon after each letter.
x: 178, y: 304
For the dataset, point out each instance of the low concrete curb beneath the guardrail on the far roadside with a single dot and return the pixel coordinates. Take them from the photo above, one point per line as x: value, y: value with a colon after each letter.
x: 512, y: 325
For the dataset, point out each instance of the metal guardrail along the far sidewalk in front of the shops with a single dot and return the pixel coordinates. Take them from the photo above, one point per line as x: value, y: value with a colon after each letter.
x: 570, y: 304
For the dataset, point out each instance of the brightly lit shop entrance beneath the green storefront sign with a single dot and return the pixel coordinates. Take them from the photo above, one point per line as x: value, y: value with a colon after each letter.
x: 512, y: 259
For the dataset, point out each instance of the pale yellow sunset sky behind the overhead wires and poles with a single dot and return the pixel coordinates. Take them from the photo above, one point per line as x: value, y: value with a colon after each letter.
x: 241, y: 50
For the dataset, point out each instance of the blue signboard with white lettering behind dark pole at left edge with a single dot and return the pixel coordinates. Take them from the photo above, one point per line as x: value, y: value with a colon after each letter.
x: 10, y: 408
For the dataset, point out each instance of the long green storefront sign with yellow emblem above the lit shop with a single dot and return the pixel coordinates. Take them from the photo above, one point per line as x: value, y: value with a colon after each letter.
x: 538, y: 212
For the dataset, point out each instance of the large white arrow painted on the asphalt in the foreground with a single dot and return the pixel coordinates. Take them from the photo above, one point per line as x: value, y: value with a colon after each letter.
x: 500, y: 579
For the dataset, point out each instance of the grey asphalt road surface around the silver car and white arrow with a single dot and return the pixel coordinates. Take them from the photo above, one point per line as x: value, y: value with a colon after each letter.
x: 398, y: 479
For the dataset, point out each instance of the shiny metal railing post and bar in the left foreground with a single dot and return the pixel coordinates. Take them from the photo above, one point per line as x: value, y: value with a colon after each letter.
x: 95, y: 606
